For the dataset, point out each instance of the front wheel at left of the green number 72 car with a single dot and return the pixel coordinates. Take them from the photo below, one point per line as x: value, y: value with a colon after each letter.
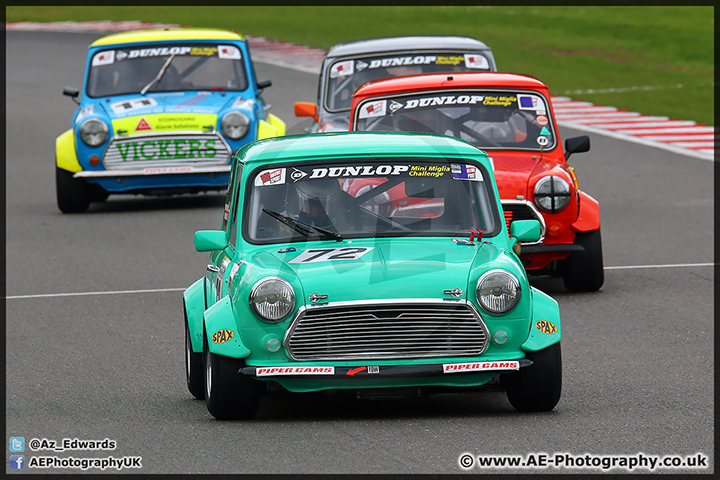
x: 228, y: 395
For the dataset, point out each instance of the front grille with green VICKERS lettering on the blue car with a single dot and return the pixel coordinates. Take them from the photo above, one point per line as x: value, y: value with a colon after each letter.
x: 169, y: 150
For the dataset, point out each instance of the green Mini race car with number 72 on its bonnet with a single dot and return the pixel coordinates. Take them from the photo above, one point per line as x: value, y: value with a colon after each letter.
x: 374, y: 264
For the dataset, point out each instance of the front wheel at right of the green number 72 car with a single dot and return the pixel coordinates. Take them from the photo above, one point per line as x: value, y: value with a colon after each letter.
x: 536, y: 388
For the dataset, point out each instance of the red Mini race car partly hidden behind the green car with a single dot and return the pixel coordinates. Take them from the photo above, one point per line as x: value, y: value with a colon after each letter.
x: 510, y: 116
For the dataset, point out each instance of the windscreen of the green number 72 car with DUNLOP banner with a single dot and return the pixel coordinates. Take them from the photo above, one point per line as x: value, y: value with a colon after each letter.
x: 361, y: 198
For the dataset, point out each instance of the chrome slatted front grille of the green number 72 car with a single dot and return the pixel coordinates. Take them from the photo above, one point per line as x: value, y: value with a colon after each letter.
x: 386, y: 330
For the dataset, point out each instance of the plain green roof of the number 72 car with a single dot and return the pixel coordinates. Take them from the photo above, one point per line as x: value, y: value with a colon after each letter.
x: 357, y: 144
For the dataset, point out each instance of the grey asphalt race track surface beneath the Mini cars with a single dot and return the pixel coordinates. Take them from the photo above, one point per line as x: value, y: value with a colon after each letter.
x: 638, y: 355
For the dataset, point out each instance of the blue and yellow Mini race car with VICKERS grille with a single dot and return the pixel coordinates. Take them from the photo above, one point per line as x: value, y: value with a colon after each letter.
x: 161, y: 112
